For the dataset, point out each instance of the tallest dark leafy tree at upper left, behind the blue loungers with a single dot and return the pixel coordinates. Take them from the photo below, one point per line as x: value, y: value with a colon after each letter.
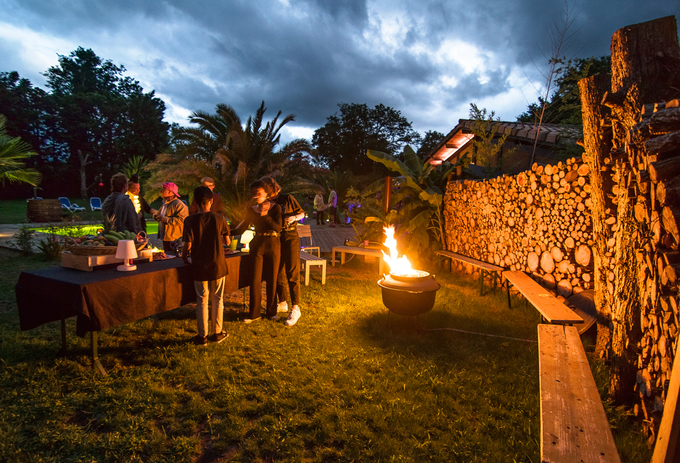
x: 102, y: 118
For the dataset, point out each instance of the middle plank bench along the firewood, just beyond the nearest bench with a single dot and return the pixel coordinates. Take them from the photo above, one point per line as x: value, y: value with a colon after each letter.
x: 548, y: 305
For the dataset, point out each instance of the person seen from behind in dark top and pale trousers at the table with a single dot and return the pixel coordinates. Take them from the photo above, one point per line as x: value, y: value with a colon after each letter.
x: 204, y: 234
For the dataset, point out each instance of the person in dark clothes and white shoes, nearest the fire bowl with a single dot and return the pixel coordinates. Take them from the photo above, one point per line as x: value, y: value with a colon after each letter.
x: 289, y: 267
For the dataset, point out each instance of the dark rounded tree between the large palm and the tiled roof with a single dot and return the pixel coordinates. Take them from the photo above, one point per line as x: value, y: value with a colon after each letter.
x: 341, y: 144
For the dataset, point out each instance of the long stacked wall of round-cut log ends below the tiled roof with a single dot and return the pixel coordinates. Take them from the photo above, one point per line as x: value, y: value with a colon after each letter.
x: 538, y: 222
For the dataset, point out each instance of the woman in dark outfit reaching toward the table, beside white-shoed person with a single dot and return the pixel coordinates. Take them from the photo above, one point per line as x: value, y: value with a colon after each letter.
x: 265, y: 249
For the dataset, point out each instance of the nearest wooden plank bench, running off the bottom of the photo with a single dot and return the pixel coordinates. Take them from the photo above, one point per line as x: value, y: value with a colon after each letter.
x: 574, y: 426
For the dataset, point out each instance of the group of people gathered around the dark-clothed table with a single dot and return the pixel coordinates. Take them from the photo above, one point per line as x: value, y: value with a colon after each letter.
x: 204, y: 231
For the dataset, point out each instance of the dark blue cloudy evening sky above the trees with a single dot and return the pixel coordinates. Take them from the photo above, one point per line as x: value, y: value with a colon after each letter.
x: 428, y: 59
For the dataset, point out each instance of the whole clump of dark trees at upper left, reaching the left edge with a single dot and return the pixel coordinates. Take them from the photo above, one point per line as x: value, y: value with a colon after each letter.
x: 91, y: 120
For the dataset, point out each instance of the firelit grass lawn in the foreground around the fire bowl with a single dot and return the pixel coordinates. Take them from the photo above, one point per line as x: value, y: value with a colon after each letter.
x: 350, y: 382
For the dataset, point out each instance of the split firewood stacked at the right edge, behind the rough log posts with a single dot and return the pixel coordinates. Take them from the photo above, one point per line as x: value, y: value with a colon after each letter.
x: 650, y: 170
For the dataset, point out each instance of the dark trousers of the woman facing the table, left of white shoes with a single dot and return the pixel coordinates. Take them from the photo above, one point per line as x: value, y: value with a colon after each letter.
x: 265, y: 252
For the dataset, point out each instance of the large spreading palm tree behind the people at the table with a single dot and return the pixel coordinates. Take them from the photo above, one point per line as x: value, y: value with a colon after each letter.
x: 232, y: 153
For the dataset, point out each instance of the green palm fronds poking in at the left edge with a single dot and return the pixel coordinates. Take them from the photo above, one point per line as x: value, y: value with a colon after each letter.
x: 12, y: 153
